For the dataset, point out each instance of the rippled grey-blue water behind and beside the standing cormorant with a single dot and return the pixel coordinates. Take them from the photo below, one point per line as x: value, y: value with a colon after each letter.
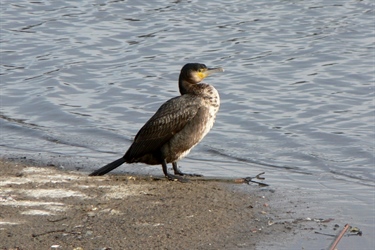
x: 79, y: 78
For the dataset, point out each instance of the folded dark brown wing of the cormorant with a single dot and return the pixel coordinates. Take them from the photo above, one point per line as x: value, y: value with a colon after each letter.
x: 170, y: 118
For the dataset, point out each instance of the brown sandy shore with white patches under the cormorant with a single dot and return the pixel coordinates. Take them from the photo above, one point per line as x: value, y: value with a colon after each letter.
x: 46, y: 208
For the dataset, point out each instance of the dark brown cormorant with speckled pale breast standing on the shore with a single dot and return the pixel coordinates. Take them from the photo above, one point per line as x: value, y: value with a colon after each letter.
x: 177, y: 126
